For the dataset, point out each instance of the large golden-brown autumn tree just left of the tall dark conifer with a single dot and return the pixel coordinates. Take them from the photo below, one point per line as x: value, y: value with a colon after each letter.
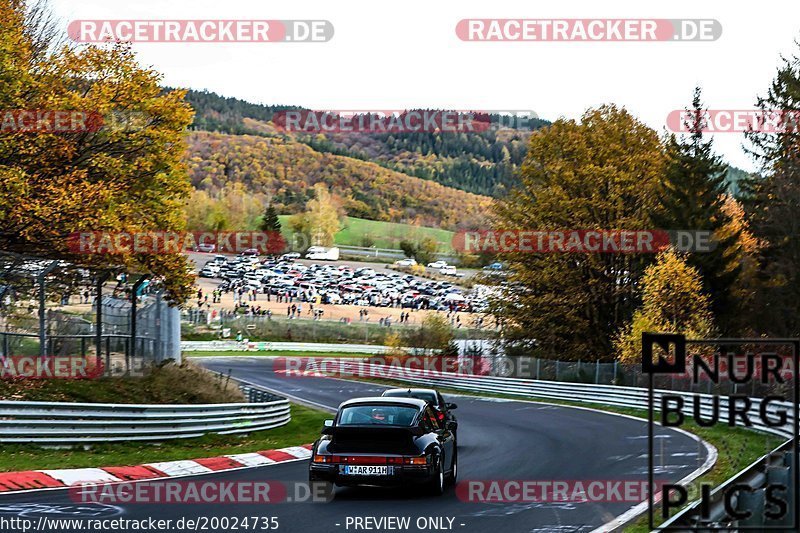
x: 599, y: 173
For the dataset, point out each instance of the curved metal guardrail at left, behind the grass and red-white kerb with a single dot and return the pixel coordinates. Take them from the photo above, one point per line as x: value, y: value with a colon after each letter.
x: 79, y: 423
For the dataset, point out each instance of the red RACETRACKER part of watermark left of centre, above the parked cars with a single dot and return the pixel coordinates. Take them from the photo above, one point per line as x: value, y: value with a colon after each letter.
x: 173, y: 242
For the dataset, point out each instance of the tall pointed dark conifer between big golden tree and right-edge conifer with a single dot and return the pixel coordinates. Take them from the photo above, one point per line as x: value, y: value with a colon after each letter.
x: 693, y: 194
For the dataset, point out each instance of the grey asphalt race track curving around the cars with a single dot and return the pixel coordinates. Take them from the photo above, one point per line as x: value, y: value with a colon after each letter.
x: 498, y: 440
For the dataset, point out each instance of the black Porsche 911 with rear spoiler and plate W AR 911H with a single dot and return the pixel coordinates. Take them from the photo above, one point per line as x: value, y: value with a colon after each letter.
x: 387, y: 442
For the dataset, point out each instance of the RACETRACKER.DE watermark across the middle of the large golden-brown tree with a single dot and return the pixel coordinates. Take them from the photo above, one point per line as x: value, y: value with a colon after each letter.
x: 582, y: 241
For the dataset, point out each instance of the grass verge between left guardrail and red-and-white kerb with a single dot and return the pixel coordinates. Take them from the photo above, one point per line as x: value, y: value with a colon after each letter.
x: 304, y: 428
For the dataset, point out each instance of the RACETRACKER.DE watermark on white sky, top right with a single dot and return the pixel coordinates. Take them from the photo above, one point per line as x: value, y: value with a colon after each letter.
x: 589, y: 30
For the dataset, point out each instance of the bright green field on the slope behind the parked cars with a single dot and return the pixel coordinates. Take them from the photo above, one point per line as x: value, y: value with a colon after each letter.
x: 356, y: 231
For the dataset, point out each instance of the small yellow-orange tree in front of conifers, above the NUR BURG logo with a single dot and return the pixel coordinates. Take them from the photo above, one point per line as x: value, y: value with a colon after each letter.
x: 673, y: 301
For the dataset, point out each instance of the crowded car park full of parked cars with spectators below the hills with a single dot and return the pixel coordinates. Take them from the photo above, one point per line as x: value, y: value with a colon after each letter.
x: 330, y: 290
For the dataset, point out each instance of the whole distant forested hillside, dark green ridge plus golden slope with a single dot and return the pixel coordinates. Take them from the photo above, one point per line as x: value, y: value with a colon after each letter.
x: 283, y: 166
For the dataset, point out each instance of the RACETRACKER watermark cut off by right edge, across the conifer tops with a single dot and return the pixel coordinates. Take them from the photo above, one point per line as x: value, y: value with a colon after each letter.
x: 734, y: 121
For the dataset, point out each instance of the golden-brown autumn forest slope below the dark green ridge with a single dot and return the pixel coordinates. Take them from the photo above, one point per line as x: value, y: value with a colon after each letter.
x: 286, y: 171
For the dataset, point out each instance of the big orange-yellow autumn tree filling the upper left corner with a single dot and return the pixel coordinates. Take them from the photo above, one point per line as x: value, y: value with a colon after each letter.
x: 127, y: 175
